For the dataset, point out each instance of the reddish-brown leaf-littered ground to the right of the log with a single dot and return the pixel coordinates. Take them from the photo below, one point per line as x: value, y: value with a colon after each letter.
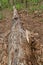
x: 33, y: 22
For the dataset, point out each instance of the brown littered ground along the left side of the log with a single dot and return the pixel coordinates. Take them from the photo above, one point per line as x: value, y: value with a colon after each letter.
x: 5, y: 26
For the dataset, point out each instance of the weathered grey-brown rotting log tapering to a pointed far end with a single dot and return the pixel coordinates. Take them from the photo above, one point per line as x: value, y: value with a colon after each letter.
x: 24, y: 49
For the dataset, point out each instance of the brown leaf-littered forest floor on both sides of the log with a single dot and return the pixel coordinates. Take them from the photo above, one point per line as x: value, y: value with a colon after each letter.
x: 32, y: 22
